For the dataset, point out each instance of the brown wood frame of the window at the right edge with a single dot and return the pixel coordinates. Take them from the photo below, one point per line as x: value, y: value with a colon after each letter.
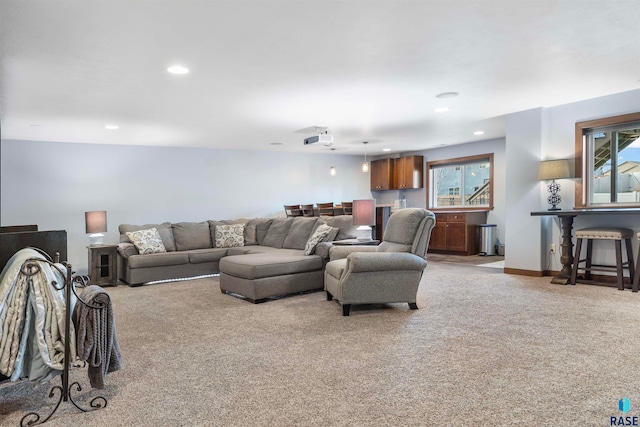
x: 582, y: 159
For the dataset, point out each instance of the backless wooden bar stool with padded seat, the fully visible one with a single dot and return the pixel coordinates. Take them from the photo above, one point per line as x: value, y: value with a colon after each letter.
x: 603, y: 233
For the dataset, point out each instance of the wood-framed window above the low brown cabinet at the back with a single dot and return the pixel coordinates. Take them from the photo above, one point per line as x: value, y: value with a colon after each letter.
x: 464, y: 182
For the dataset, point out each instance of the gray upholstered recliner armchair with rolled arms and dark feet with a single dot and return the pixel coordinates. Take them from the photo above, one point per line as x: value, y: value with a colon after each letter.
x: 387, y: 273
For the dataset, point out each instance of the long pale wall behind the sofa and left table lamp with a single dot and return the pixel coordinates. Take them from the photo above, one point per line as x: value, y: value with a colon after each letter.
x: 52, y: 184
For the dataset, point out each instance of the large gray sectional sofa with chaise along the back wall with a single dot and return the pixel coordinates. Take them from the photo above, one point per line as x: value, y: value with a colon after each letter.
x: 270, y: 262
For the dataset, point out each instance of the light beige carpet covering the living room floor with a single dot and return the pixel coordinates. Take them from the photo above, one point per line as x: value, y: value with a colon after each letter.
x: 484, y: 349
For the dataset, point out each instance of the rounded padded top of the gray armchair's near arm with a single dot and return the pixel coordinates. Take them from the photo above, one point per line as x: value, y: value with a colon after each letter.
x: 384, y: 261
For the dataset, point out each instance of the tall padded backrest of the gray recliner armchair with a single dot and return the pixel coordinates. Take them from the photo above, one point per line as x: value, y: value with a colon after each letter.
x: 408, y: 230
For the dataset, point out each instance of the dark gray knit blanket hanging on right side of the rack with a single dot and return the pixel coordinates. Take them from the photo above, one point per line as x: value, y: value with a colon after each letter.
x: 97, y: 343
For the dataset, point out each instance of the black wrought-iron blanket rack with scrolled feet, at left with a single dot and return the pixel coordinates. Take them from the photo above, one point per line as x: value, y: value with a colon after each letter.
x: 29, y: 268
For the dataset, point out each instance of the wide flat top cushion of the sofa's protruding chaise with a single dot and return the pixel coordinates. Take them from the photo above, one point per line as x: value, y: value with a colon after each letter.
x: 268, y: 265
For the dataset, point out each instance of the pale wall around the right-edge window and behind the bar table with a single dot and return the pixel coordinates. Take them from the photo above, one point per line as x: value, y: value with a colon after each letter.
x: 542, y: 134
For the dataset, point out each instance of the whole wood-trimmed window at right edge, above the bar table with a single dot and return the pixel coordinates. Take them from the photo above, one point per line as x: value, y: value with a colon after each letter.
x: 608, y: 162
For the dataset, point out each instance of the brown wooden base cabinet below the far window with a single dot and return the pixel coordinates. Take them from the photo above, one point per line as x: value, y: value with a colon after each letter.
x: 456, y: 232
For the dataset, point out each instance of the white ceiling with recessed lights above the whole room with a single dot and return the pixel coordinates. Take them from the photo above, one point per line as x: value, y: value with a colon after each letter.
x: 262, y: 69
